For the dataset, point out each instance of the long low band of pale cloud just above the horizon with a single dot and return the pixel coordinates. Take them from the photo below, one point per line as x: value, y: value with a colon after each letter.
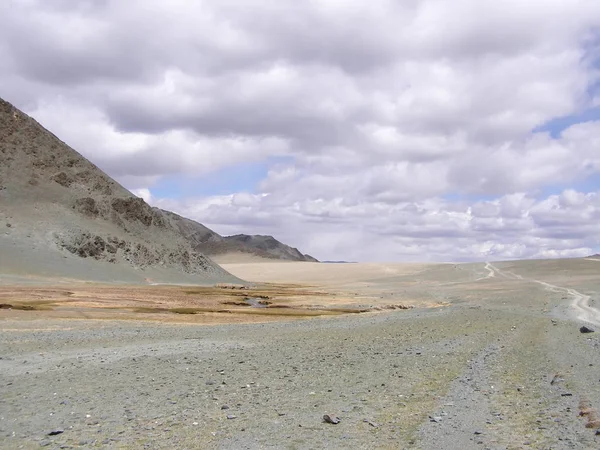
x: 511, y: 226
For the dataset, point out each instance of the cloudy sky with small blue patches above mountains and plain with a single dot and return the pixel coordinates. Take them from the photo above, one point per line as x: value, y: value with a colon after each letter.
x: 415, y: 130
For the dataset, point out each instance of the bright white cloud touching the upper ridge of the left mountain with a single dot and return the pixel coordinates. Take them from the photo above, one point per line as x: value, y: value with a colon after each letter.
x: 150, y: 156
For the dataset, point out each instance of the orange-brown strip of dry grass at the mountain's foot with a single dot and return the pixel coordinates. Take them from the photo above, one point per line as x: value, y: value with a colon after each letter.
x: 212, y: 304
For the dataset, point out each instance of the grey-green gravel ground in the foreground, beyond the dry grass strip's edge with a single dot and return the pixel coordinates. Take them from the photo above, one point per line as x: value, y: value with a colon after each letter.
x: 503, y: 365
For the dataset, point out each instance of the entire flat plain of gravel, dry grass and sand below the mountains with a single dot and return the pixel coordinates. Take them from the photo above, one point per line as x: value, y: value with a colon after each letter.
x: 440, y: 356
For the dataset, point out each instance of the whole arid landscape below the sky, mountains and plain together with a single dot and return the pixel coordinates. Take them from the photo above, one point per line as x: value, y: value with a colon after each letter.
x: 127, y: 326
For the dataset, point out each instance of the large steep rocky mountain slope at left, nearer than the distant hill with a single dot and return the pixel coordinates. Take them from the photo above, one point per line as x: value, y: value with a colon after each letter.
x: 61, y: 216
